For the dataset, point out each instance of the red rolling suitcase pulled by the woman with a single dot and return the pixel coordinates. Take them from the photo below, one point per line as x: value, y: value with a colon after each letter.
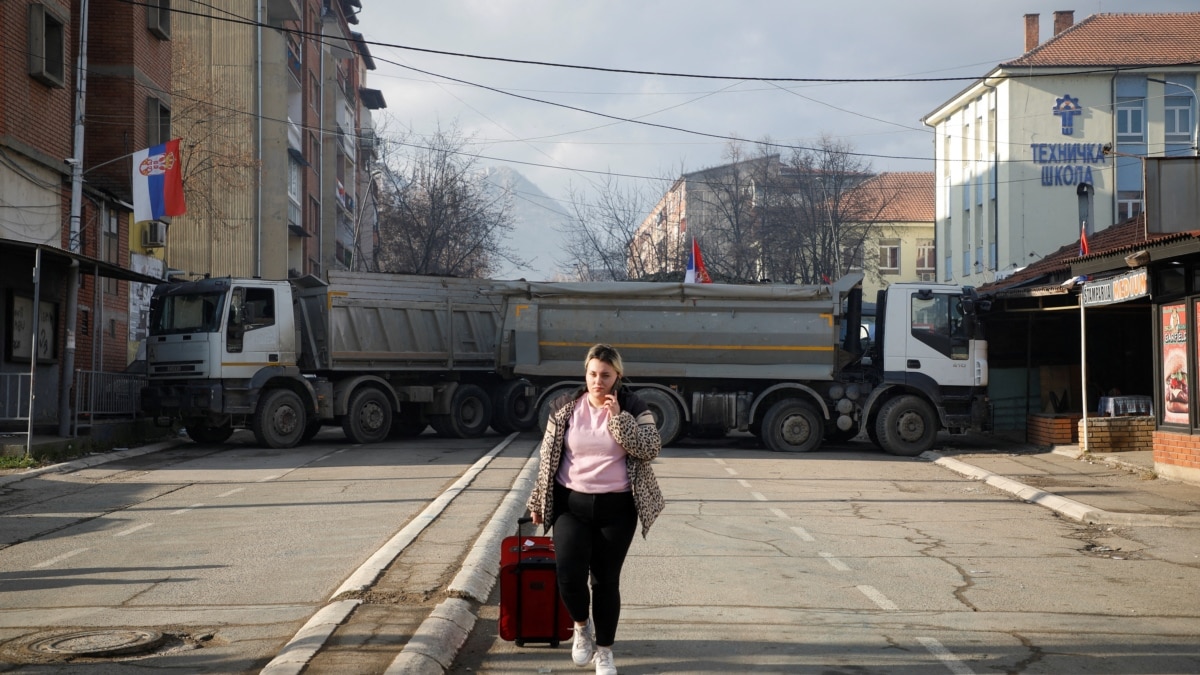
x: 531, y: 608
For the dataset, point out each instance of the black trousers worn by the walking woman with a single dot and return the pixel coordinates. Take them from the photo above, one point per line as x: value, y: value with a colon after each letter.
x: 592, y: 536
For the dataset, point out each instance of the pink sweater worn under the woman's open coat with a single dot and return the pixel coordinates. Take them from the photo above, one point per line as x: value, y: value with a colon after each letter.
x: 593, y: 463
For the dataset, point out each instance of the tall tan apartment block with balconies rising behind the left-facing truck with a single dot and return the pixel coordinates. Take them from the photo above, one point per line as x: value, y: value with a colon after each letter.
x: 290, y: 153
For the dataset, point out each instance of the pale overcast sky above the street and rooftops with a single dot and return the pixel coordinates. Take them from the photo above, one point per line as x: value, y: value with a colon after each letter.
x: 797, y: 39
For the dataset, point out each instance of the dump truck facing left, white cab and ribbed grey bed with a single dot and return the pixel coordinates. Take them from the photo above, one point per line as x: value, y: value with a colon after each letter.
x: 381, y: 355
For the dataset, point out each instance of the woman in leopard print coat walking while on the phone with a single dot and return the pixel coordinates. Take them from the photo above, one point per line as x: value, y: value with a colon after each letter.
x: 595, y: 483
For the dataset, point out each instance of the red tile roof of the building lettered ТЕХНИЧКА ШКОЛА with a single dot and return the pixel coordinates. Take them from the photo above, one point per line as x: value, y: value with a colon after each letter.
x: 1120, y: 40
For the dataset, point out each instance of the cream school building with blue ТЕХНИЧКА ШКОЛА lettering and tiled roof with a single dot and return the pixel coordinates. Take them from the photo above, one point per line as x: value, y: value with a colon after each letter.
x: 1013, y: 150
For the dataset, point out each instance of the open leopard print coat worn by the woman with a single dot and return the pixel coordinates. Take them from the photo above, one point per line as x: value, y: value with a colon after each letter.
x: 634, y: 431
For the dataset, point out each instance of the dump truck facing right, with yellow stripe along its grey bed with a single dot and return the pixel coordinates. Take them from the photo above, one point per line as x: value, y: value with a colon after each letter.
x: 772, y: 360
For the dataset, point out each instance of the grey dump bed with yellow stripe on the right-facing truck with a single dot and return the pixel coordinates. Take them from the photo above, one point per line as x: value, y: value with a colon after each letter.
x: 671, y: 331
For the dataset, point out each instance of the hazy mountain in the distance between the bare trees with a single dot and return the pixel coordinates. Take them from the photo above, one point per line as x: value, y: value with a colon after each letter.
x: 537, y: 234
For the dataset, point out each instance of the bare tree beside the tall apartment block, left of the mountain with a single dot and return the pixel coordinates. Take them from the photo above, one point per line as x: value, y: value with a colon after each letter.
x: 439, y: 214
